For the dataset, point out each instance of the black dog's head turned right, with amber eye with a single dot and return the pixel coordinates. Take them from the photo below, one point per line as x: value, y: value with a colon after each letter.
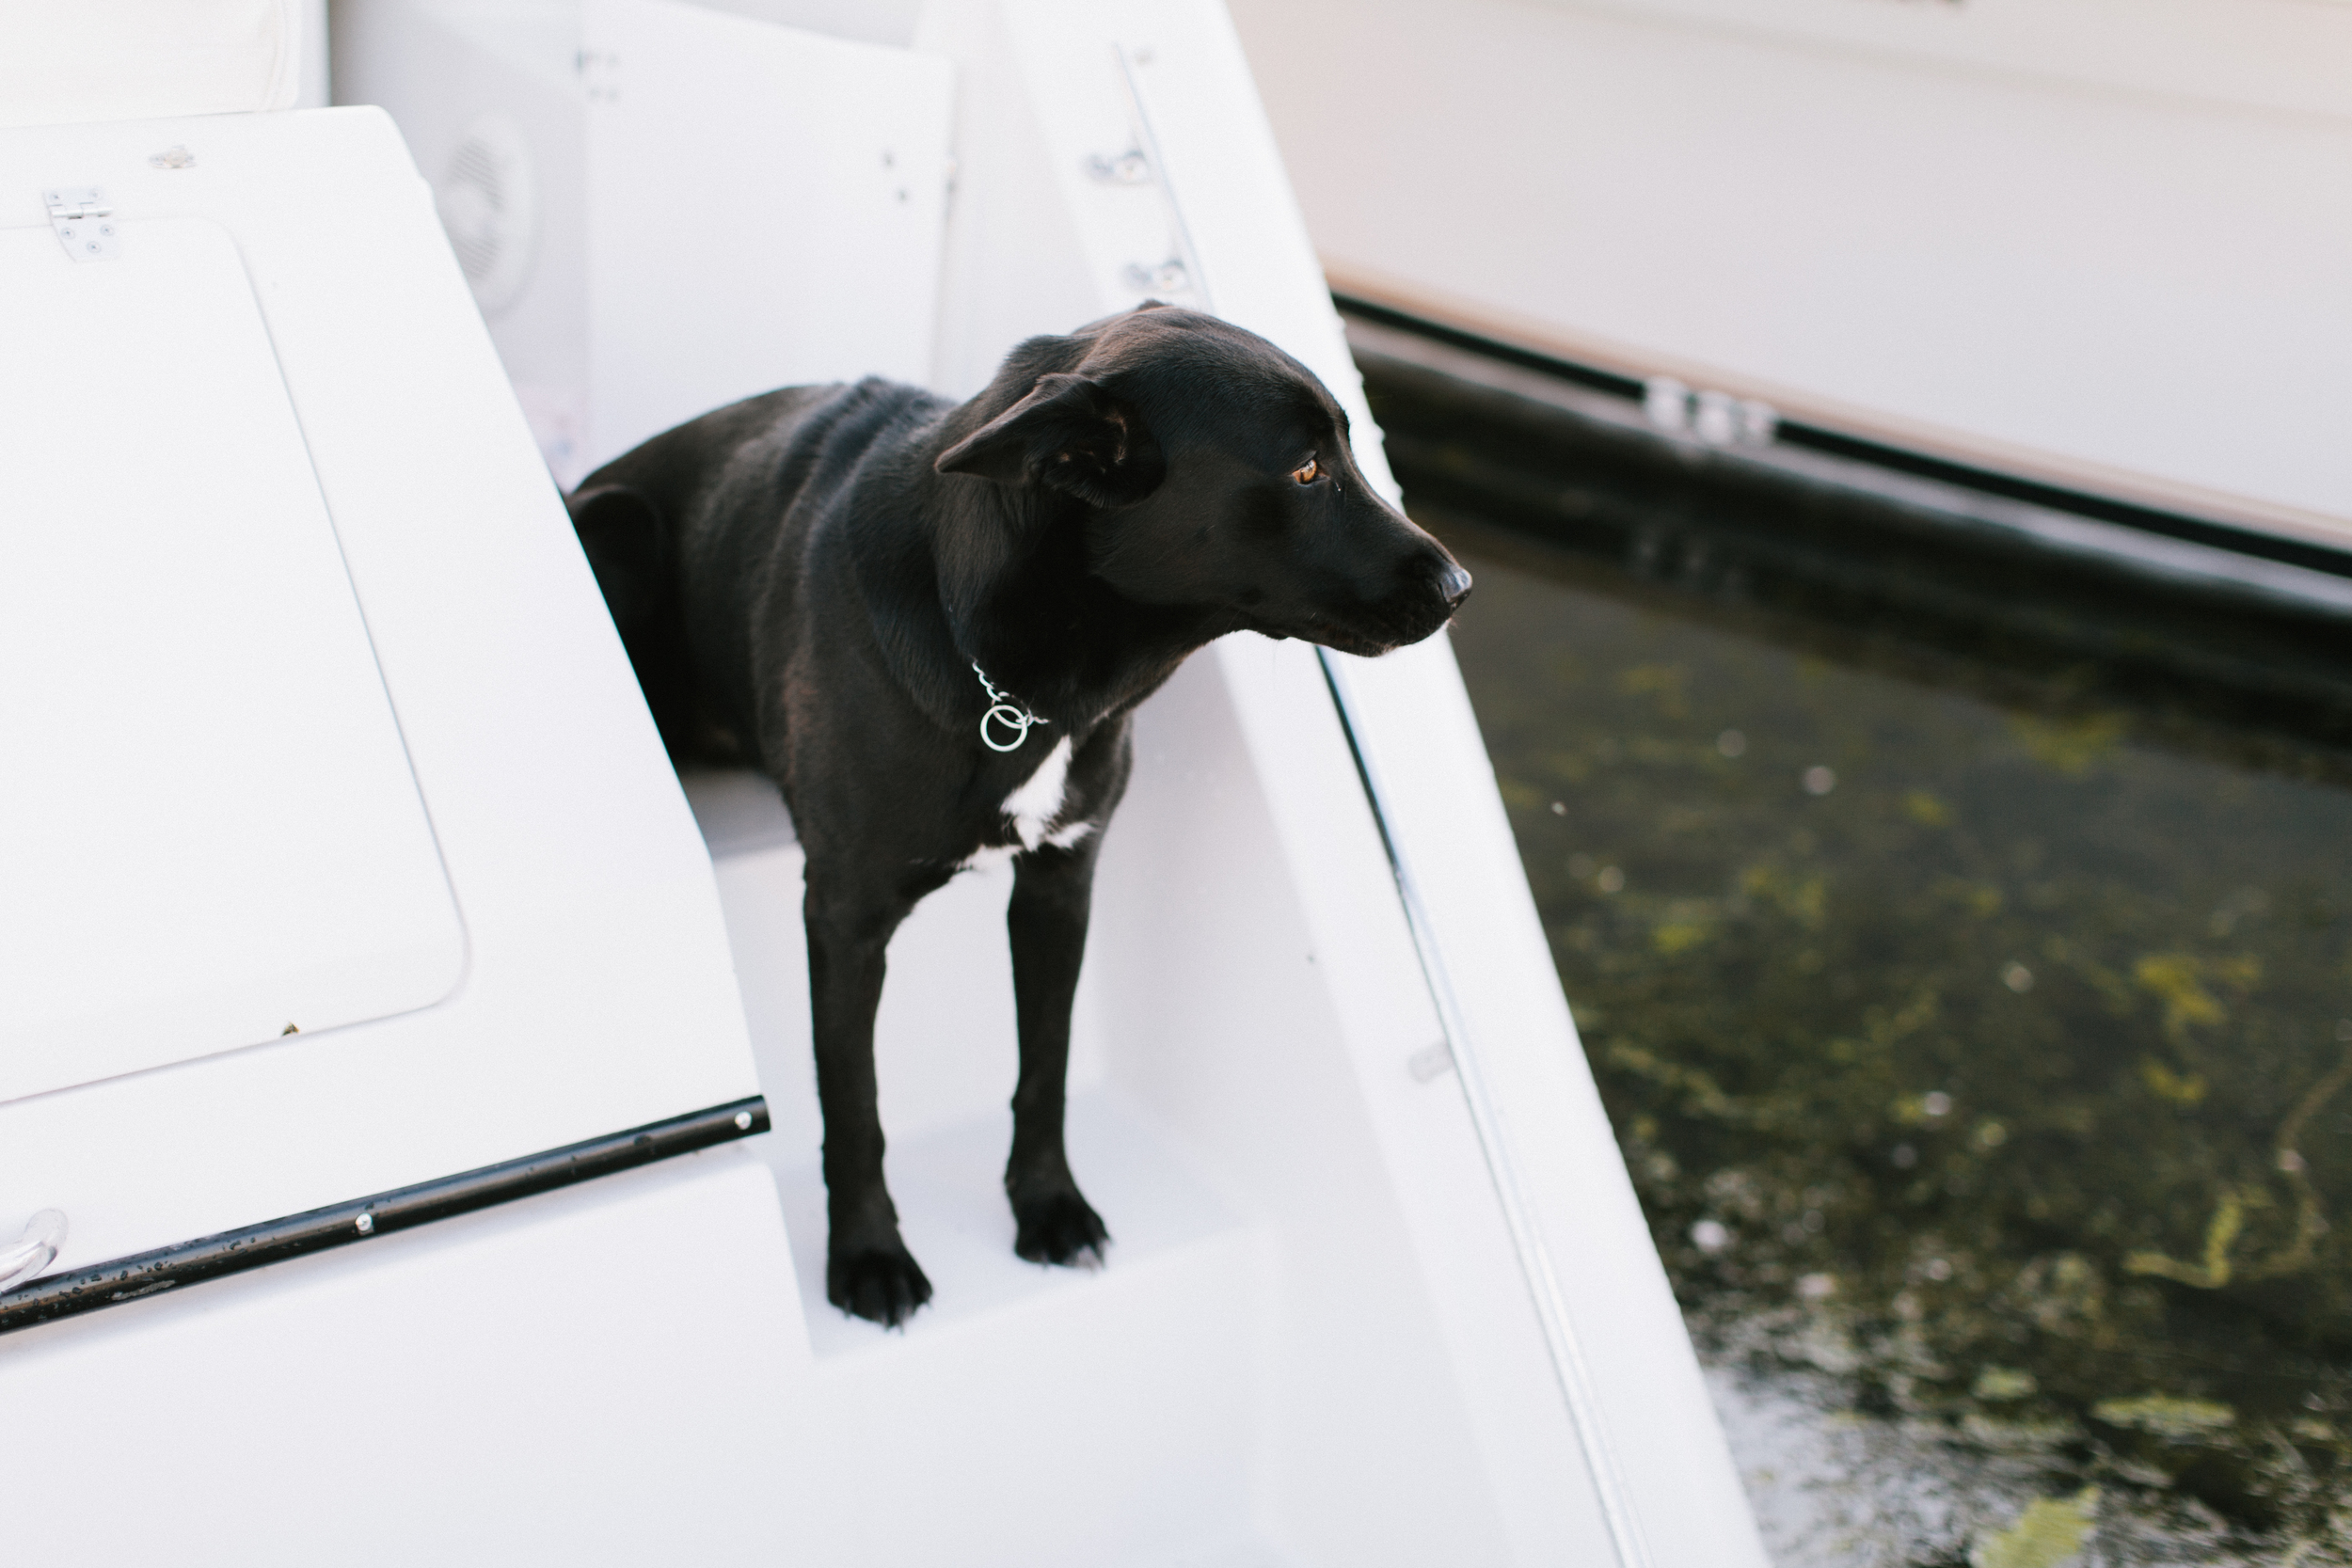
x: 1217, y: 474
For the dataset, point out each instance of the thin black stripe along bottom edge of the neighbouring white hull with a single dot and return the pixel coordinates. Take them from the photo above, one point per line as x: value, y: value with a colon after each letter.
x: 1899, y: 460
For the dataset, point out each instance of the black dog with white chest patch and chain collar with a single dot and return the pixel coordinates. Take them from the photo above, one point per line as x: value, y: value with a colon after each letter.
x: 930, y: 624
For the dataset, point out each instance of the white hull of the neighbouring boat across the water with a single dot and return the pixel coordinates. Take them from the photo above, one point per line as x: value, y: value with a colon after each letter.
x: 2085, y: 243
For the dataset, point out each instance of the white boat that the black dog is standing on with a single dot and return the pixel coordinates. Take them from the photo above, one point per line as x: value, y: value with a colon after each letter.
x: 408, y: 1111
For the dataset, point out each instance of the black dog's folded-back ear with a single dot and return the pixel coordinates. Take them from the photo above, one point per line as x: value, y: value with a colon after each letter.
x: 1069, y: 434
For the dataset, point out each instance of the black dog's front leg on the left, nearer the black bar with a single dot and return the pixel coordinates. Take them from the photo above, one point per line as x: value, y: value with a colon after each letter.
x: 867, y: 1266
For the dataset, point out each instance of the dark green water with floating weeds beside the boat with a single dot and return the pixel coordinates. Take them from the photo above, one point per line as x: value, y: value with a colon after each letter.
x: 1984, y: 1061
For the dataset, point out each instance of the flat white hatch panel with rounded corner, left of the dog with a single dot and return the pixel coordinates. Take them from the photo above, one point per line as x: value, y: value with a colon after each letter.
x: 208, y: 822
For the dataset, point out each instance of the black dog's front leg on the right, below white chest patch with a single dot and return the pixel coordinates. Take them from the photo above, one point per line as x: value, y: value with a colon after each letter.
x: 1048, y: 923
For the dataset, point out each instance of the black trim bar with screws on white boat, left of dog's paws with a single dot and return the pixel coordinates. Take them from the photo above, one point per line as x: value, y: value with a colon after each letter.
x: 168, y: 1268
